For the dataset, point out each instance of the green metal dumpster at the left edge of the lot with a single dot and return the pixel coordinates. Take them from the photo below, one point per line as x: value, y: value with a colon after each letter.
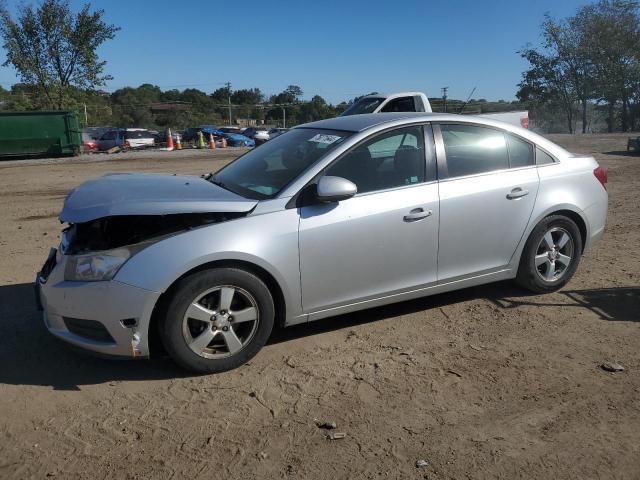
x: 51, y: 134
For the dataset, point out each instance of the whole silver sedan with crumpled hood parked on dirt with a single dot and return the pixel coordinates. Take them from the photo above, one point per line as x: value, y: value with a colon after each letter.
x: 328, y: 218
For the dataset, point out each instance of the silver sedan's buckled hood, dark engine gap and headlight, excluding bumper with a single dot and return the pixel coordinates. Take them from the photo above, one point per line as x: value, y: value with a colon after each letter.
x: 114, y: 217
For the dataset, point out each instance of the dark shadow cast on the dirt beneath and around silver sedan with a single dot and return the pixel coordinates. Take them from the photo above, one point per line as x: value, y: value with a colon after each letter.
x: 29, y: 355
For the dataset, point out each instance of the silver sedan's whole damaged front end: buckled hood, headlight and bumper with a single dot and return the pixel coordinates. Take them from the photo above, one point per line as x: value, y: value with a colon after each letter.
x: 107, y: 222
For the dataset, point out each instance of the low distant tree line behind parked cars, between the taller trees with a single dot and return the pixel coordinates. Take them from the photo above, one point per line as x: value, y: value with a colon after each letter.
x: 149, y: 106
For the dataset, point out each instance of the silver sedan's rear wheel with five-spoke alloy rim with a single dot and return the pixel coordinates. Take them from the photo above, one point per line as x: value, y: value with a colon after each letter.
x: 551, y: 255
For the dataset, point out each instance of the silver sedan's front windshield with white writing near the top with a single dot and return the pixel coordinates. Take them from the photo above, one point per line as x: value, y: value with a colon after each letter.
x: 263, y: 172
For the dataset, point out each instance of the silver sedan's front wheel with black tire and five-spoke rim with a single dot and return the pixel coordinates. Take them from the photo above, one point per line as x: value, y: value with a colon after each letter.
x: 217, y: 320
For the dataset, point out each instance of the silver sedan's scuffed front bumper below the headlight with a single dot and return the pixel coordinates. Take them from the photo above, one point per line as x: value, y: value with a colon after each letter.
x: 73, y: 310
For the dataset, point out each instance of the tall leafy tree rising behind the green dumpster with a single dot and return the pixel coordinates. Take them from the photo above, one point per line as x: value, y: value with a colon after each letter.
x: 53, y: 49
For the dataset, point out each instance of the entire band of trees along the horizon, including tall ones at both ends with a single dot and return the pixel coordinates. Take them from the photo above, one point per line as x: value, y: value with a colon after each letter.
x: 584, y: 74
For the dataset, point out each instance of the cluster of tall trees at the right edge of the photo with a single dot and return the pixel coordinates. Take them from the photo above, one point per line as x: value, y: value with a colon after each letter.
x: 586, y: 68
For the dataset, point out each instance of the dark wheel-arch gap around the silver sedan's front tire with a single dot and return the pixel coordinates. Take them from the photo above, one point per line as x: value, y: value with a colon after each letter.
x: 155, y: 344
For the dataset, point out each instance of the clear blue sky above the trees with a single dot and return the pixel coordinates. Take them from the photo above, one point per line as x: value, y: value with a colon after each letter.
x: 337, y: 49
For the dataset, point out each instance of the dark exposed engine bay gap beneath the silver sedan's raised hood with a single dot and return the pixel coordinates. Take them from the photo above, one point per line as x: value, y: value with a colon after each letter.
x: 118, y: 231
